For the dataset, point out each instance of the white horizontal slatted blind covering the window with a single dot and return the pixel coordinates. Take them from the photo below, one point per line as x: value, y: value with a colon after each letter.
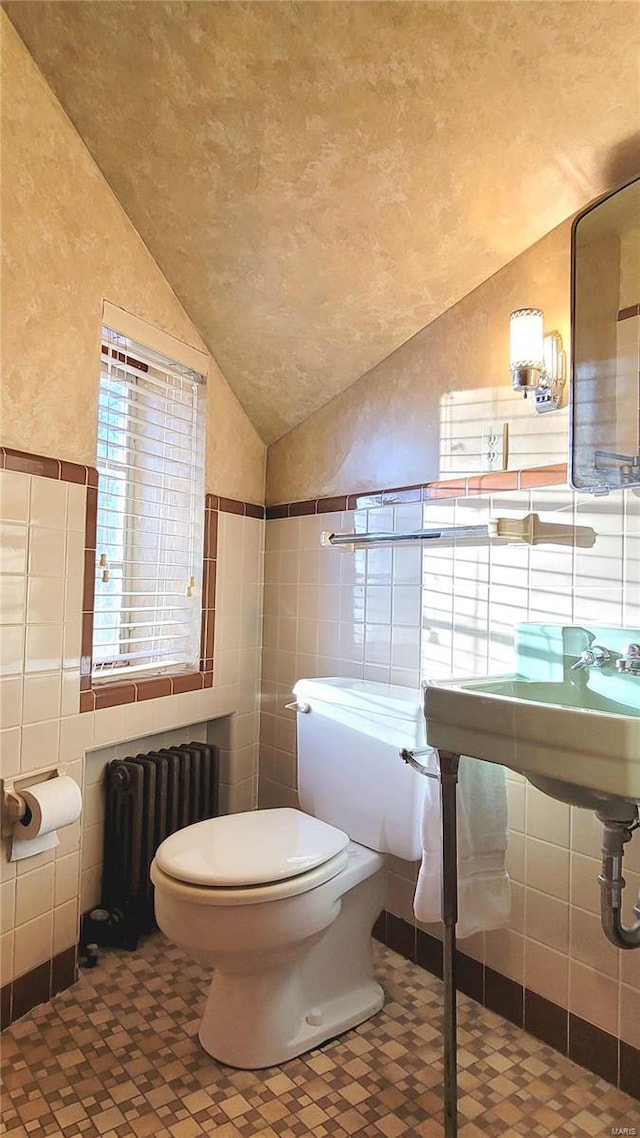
x: 151, y: 514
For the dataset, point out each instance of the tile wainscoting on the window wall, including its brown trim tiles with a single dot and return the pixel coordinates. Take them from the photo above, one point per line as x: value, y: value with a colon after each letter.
x: 47, y: 508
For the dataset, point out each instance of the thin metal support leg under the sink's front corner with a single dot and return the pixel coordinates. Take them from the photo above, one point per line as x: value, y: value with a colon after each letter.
x: 448, y: 784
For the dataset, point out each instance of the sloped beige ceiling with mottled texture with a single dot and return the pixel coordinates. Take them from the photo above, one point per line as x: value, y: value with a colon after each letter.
x: 318, y: 182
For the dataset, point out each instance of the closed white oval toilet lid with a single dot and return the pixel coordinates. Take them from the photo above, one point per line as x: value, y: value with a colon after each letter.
x: 250, y: 850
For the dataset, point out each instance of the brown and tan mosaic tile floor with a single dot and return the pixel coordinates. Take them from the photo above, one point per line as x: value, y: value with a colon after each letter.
x: 118, y: 1057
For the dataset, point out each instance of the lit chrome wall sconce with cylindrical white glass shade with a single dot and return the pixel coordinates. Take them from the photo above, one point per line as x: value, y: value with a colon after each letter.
x: 537, y: 362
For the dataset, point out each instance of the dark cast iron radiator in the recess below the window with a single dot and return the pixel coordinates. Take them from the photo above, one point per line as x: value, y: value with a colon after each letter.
x: 149, y: 798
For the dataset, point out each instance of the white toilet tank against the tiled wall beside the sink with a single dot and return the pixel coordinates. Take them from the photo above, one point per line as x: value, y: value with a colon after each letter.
x: 350, y: 772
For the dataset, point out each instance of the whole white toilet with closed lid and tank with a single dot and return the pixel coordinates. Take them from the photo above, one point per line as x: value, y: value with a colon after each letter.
x: 281, y: 903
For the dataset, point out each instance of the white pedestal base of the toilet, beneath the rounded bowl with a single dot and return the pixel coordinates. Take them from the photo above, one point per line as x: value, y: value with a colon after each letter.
x: 308, y: 995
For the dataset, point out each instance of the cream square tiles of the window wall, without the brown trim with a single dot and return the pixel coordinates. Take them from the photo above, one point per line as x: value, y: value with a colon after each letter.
x: 43, y: 531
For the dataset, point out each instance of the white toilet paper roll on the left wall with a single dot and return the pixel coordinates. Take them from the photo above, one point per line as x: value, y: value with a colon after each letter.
x: 50, y: 806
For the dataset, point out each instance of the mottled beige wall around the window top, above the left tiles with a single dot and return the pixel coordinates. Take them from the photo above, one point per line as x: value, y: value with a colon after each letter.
x: 68, y: 246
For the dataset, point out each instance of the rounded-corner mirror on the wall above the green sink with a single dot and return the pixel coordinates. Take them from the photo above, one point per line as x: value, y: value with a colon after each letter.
x: 605, y: 416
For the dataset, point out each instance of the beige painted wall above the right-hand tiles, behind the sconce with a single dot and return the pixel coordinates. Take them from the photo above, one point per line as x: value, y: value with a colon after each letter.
x: 399, y: 423
